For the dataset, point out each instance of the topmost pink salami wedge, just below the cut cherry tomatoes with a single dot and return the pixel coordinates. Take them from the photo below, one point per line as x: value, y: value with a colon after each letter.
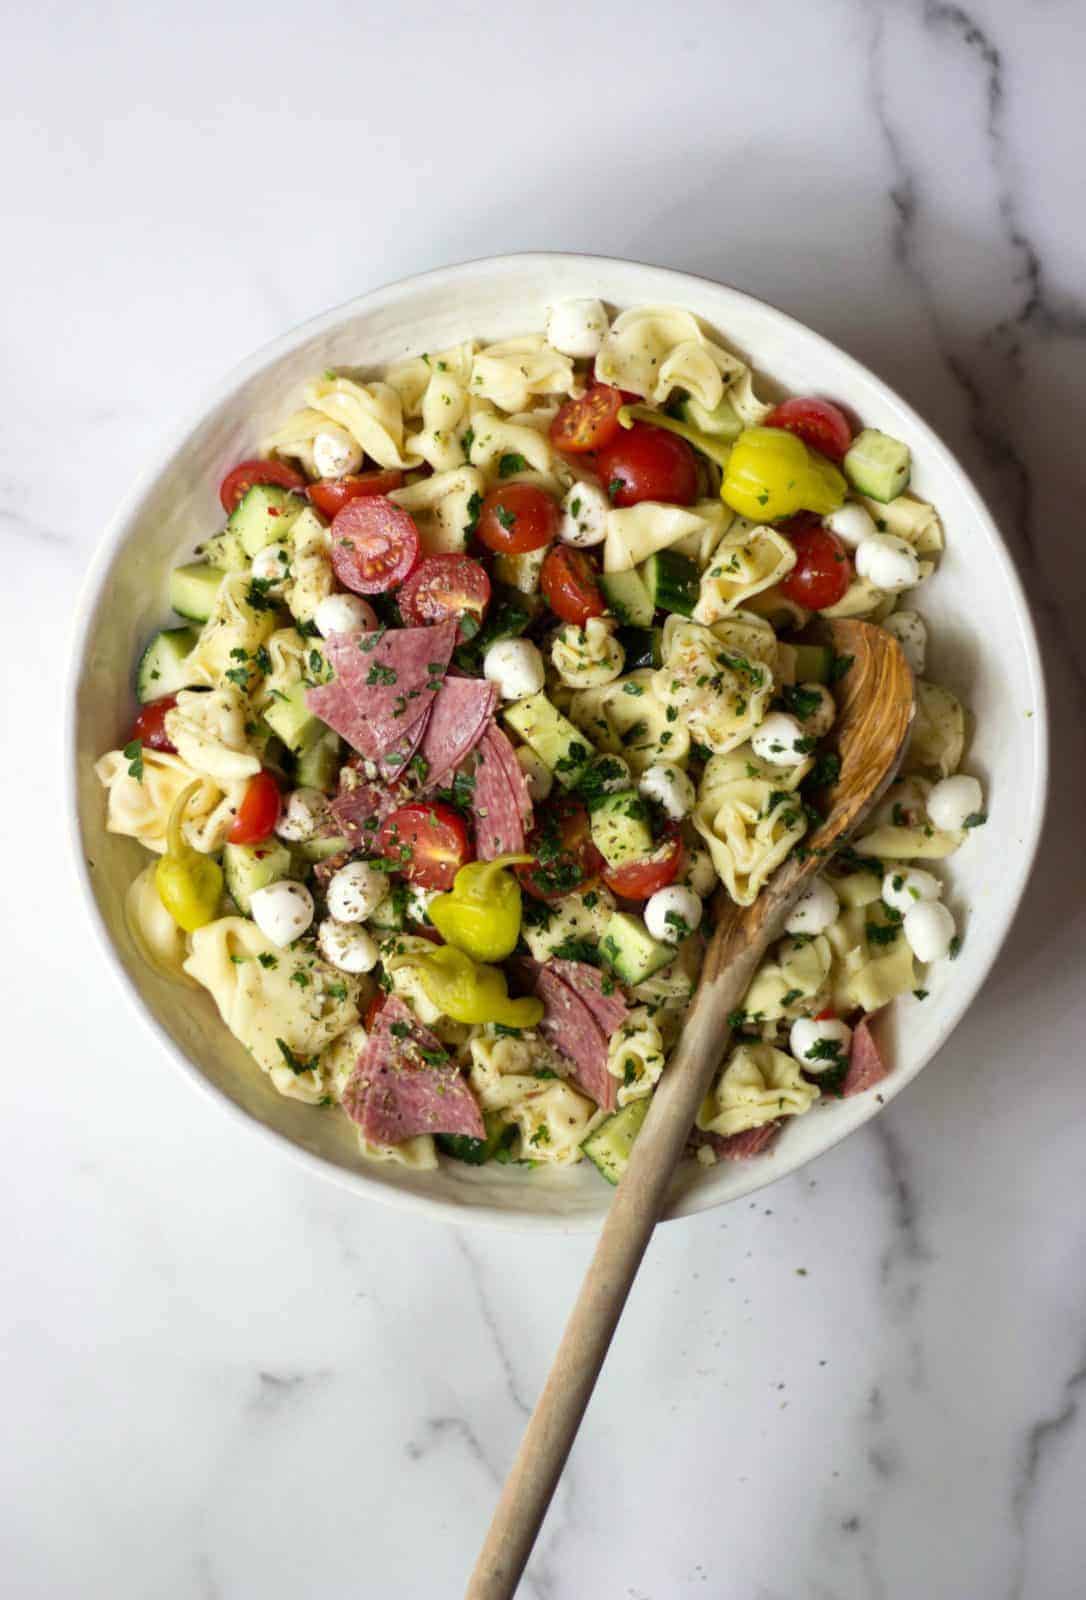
x: 385, y: 684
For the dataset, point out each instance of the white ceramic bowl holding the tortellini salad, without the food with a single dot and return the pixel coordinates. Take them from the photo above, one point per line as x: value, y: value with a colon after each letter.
x: 983, y: 647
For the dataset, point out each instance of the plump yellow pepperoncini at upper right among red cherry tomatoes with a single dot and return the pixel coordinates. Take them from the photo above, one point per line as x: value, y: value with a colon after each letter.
x: 773, y: 474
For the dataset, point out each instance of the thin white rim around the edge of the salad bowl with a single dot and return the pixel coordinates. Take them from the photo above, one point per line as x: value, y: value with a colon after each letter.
x: 114, y: 535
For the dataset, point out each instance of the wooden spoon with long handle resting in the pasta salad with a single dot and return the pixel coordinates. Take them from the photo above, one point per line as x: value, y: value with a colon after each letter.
x: 876, y: 706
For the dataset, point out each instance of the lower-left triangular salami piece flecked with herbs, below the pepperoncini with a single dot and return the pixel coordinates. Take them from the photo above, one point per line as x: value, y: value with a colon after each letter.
x: 405, y: 1084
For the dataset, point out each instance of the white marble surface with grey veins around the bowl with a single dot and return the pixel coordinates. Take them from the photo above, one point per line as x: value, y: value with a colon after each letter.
x: 225, y: 1378
